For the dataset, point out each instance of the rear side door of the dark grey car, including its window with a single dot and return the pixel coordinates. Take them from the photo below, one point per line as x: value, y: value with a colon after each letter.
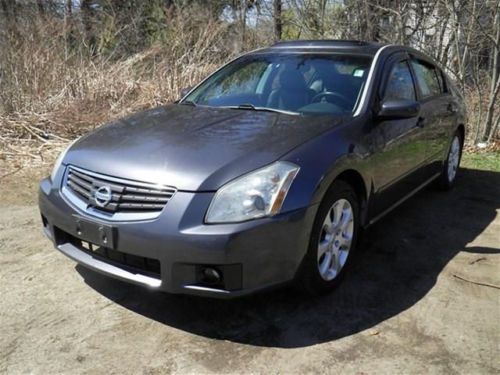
x: 438, y: 111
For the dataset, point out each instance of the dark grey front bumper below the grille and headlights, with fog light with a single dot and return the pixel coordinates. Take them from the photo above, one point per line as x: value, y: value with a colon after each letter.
x: 250, y: 256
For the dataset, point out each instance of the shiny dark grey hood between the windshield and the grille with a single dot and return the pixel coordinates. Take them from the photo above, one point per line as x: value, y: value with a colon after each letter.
x: 193, y: 148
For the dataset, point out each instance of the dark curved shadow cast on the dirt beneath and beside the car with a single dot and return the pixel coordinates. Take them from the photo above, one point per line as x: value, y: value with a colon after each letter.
x: 398, y: 263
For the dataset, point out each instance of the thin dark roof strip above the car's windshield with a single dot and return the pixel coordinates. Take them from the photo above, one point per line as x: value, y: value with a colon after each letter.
x: 325, y: 45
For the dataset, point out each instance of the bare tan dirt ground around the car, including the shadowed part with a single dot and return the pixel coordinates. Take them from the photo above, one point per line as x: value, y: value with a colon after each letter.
x: 421, y: 299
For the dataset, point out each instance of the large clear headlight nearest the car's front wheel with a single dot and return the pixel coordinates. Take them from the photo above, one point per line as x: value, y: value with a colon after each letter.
x: 256, y: 194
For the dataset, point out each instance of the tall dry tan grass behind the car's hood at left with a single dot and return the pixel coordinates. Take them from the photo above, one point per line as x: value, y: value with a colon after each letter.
x: 49, y: 95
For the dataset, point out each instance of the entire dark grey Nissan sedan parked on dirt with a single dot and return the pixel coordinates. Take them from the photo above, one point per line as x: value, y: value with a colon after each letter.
x: 261, y: 175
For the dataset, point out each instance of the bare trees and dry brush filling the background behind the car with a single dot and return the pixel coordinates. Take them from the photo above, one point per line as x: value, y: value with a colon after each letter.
x: 67, y: 65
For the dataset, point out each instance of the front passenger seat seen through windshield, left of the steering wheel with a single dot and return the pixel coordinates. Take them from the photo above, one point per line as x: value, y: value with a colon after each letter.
x: 292, y: 93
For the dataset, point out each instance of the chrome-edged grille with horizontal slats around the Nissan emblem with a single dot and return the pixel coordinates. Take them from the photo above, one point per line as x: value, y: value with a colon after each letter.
x: 126, y: 196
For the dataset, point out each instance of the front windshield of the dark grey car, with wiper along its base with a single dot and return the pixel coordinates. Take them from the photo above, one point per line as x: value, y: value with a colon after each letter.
x: 292, y: 83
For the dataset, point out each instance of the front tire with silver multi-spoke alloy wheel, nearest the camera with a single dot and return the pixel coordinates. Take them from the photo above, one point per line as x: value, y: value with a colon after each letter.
x: 316, y: 277
